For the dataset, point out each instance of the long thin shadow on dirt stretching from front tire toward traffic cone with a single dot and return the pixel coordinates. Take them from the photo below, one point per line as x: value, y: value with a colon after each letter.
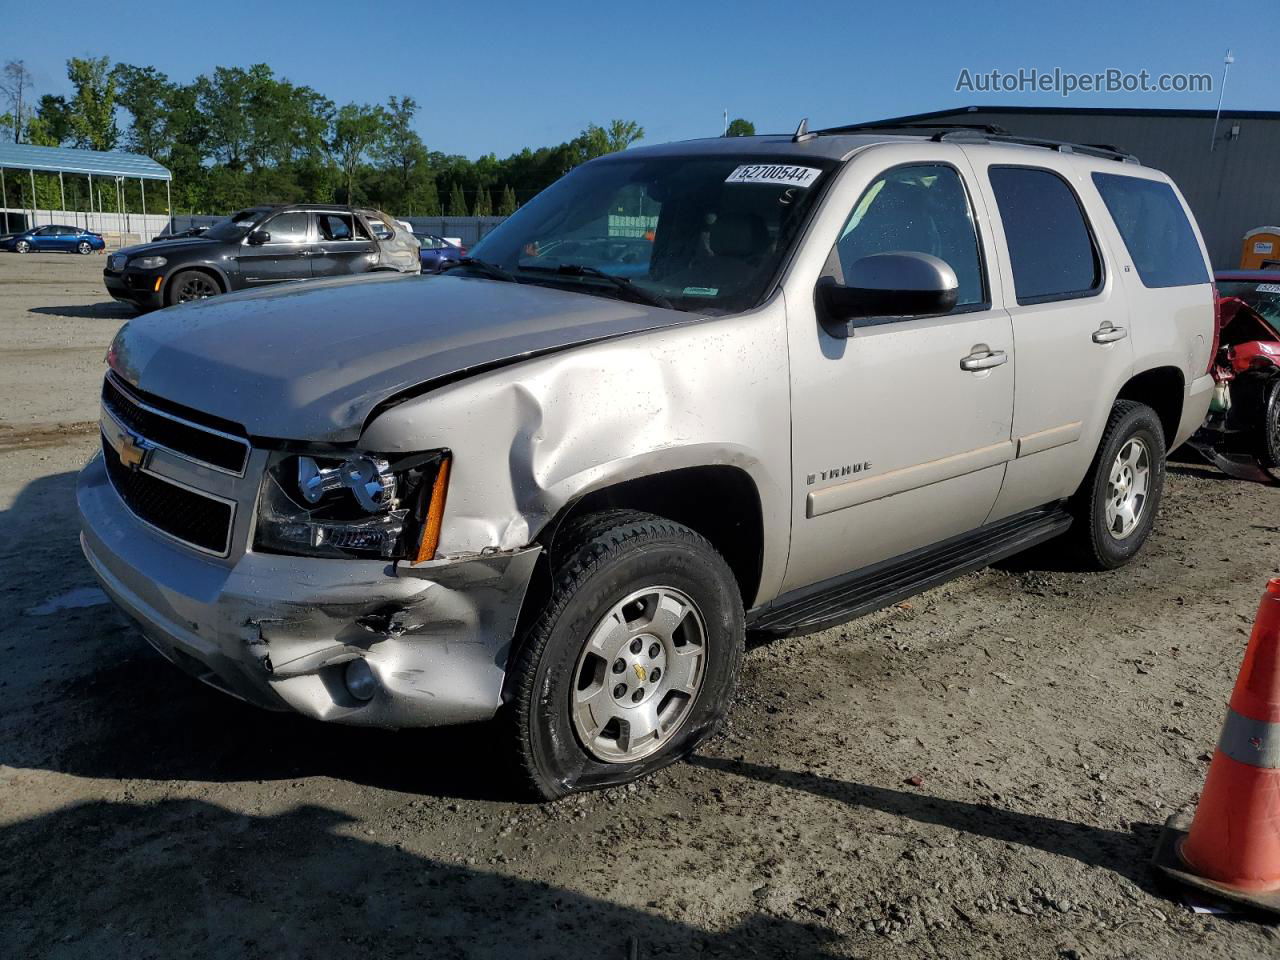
x: 1126, y: 853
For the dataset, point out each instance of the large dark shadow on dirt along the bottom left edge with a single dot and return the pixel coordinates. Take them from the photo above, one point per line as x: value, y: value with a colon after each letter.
x: 189, y: 879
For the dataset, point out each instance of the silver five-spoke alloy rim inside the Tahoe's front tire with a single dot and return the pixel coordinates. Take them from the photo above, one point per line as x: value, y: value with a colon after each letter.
x: 639, y: 675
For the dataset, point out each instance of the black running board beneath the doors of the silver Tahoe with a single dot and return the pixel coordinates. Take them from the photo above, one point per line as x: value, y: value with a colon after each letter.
x: 872, y: 588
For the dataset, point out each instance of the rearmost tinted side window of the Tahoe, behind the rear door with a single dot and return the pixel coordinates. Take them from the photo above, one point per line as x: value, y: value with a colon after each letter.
x: 1155, y: 230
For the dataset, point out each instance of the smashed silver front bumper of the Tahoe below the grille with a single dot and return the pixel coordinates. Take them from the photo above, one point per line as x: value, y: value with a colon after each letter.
x: 280, y: 632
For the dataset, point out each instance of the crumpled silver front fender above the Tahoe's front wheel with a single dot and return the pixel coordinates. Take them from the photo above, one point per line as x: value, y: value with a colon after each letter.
x: 531, y: 438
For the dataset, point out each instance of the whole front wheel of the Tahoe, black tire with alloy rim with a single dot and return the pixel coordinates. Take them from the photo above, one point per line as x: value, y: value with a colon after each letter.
x: 633, y: 659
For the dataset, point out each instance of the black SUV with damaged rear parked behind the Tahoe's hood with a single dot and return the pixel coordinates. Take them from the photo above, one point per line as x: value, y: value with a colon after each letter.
x: 260, y: 246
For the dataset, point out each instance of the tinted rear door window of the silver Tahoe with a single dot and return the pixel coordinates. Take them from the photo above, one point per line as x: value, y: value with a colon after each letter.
x: 1050, y: 246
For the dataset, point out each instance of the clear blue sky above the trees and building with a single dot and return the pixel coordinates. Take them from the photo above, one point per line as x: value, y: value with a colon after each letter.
x: 499, y: 76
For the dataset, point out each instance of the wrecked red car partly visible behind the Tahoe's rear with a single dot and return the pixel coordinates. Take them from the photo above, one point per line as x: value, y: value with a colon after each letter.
x: 1242, y: 435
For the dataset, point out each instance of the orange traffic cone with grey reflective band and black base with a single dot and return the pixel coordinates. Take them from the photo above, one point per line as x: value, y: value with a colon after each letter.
x: 1233, y: 847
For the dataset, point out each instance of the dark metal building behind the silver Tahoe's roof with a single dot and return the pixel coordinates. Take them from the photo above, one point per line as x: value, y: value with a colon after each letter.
x: 1232, y: 189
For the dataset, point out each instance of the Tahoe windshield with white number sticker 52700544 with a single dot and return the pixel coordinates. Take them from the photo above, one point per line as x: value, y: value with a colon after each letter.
x: 707, y: 234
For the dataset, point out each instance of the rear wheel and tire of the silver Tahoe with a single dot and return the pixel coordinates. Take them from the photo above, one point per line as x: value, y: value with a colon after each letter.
x: 1117, y: 505
